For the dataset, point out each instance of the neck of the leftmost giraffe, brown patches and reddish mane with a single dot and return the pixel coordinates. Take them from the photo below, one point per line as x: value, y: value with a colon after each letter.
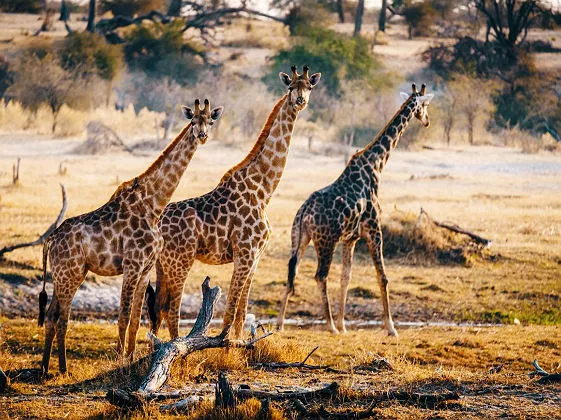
x: 158, y: 183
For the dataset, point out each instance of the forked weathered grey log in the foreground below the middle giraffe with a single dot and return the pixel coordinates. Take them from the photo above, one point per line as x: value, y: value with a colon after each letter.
x: 166, y: 354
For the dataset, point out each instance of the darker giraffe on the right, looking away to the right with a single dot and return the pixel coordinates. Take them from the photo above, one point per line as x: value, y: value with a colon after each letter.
x: 349, y: 209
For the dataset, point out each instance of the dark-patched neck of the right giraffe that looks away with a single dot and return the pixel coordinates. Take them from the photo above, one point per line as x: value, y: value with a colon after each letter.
x: 377, y: 152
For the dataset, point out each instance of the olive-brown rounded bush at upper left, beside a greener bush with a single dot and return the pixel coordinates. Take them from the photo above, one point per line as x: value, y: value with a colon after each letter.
x: 91, y: 54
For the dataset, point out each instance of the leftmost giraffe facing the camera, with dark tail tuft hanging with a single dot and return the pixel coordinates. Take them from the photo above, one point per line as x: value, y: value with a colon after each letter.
x: 120, y: 237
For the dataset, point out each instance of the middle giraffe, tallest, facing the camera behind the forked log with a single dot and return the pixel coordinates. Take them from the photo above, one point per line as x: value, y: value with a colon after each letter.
x: 229, y: 224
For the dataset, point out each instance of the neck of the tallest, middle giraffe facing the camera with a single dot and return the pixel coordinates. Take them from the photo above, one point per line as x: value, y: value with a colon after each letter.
x: 262, y: 168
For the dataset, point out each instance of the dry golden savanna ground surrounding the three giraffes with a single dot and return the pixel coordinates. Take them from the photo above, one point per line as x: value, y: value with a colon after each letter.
x: 505, y: 301
